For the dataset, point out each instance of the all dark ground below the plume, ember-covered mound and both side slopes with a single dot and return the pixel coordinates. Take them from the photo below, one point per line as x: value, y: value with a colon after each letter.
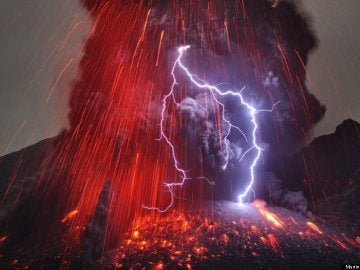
x: 204, y: 235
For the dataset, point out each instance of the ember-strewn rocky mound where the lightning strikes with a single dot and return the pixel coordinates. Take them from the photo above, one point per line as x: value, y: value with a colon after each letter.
x: 228, y: 236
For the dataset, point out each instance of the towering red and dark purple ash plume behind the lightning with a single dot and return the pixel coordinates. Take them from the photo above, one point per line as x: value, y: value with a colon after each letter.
x: 259, y: 46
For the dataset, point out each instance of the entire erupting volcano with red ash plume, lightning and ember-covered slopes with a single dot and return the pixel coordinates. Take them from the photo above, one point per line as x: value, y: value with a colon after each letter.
x: 184, y: 120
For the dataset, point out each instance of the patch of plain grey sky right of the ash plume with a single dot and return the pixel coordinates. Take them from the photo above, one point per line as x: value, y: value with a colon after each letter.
x: 334, y: 68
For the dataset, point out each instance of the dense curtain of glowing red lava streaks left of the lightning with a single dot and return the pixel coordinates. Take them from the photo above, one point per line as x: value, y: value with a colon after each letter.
x: 110, y: 138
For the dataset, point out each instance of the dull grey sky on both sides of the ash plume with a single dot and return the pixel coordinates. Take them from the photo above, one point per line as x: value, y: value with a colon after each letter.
x: 40, y: 48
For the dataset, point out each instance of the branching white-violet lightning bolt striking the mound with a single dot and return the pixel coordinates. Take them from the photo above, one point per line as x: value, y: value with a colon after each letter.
x: 214, y: 91
